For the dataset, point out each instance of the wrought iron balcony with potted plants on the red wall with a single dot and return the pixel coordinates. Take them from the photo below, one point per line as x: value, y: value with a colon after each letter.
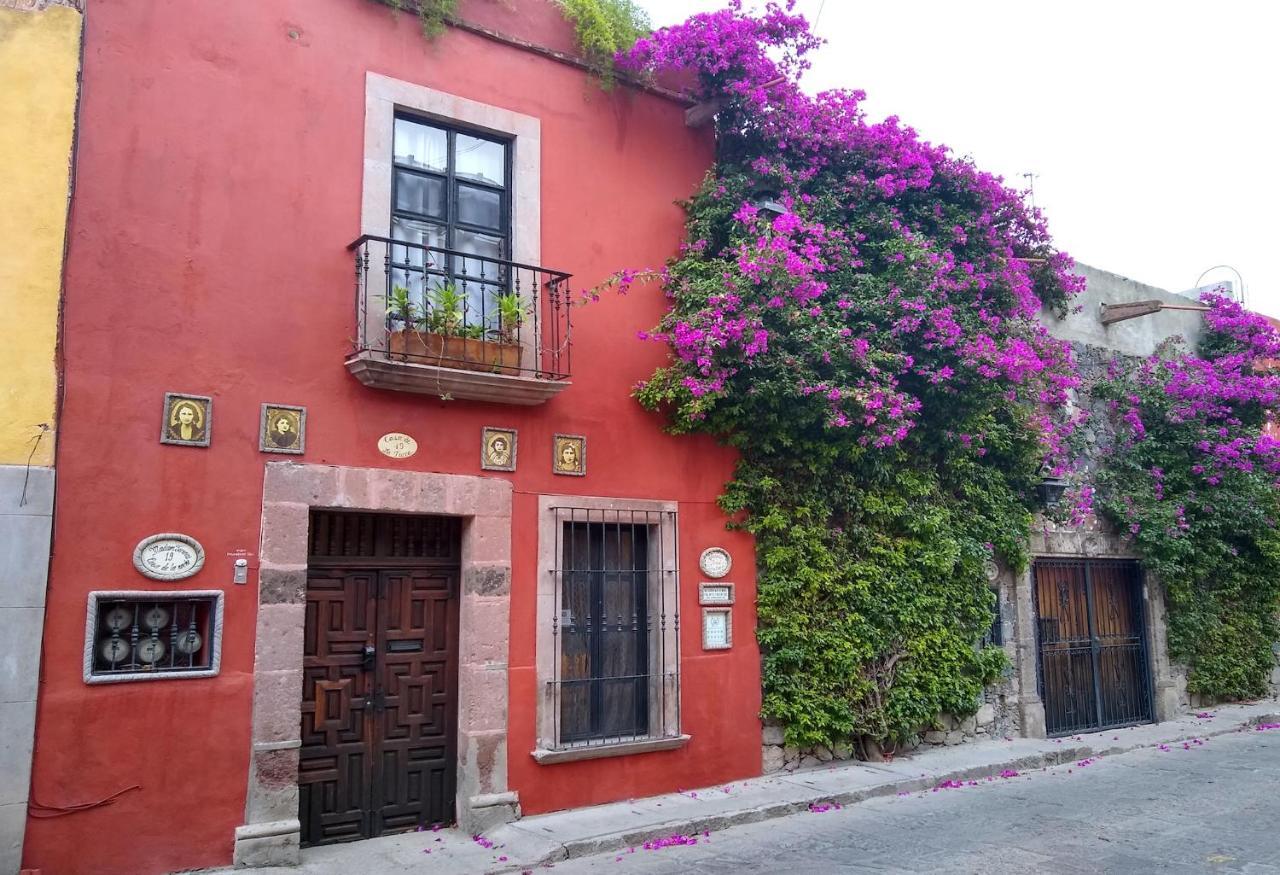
x: 458, y: 324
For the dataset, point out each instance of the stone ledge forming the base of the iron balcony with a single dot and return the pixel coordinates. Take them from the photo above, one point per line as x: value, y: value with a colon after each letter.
x: 377, y: 372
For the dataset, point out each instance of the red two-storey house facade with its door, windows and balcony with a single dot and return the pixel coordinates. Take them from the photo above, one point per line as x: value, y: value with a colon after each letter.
x: 358, y: 526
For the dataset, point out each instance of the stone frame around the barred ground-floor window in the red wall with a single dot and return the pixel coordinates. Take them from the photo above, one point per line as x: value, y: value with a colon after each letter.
x: 550, y: 750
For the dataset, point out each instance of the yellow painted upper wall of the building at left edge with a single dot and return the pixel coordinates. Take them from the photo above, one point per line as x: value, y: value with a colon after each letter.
x: 39, y: 66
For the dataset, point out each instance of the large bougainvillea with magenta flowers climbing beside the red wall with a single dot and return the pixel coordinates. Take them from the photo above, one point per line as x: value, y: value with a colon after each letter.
x: 857, y: 311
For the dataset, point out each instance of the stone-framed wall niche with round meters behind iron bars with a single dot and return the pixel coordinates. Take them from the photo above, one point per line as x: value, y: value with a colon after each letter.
x: 138, y: 636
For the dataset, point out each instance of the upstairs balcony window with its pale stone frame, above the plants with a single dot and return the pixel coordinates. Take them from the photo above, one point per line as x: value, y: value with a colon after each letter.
x: 455, y: 175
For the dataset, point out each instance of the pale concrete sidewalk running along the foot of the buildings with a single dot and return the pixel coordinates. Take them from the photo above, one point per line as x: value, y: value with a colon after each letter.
x: 541, y: 840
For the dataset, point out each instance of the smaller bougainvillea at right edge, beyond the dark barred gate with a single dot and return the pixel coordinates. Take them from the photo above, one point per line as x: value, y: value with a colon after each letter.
x: 1192, y: 480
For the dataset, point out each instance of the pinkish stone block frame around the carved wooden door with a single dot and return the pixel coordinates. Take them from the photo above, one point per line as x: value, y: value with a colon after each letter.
x: 272, y: 831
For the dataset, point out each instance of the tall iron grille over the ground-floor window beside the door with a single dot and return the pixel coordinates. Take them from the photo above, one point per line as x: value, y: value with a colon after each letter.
x: 616, y: 627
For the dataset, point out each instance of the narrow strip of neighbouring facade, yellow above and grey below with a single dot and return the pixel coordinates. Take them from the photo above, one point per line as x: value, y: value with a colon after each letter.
x: 39, y: 67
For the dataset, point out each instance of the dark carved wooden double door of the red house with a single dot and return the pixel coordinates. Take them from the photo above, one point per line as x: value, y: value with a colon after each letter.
x: 380, y: 702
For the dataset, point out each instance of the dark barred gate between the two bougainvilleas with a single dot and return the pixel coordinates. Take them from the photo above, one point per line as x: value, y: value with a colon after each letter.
x: 1091, y: 630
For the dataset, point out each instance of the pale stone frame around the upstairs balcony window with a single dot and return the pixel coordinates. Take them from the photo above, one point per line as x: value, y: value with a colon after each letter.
x: 385, y: 98
